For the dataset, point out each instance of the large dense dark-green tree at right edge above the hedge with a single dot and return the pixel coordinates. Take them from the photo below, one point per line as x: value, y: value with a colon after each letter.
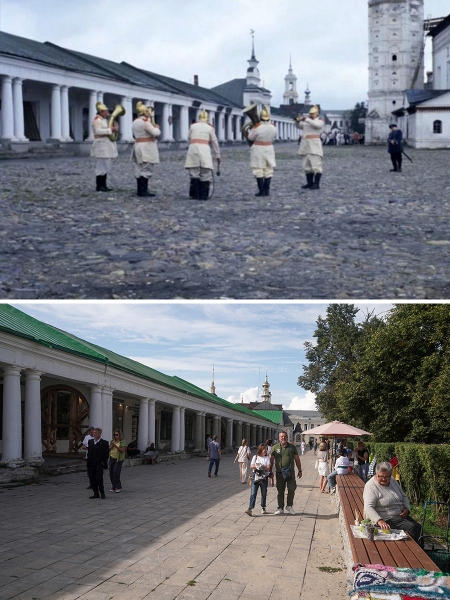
x: 399, y: 388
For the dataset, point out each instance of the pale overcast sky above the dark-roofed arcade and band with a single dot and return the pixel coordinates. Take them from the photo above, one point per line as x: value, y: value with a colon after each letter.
x: 328, y: 39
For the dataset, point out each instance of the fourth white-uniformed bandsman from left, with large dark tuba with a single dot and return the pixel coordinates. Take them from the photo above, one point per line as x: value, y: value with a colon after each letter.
x: 262, y: 154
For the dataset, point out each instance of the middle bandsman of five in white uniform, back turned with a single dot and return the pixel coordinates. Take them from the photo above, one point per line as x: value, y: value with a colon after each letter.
x: 199, y: 163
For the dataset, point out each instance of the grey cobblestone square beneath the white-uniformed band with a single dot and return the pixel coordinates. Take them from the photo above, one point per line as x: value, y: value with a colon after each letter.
x: 367, y: 233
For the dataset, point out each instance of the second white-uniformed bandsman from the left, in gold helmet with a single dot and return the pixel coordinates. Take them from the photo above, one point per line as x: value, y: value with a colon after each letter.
x: 145, y: 150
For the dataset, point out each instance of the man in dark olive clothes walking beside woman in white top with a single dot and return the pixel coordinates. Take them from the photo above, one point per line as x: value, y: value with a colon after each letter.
x: 284, y: 455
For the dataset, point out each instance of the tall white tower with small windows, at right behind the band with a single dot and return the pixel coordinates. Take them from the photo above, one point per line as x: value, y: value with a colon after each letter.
x: 396, y: 48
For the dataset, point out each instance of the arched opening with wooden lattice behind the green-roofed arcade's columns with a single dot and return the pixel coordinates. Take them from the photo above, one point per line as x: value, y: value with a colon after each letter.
x: 65, y: 417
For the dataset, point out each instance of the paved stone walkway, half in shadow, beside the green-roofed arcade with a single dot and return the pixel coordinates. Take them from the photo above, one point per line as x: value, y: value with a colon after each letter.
x: 171, y: 527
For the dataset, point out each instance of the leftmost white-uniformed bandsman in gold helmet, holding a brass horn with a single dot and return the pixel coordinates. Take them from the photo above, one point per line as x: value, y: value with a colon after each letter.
x: 103, y: 149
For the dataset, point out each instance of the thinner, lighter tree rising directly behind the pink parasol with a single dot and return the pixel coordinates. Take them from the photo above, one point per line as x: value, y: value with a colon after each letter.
x: 332, y: 358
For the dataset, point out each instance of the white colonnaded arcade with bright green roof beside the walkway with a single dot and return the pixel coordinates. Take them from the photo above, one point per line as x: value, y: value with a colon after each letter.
x: 55, y: 384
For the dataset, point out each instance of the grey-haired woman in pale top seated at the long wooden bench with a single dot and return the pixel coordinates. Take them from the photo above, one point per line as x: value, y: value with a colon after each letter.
x: 386, y: 504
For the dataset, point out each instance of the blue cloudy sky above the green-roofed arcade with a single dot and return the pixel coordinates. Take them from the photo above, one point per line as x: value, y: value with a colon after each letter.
x: 242, y: 340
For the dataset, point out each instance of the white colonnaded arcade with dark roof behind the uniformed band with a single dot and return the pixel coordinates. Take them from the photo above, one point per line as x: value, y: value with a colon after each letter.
x: 48, y: 95
